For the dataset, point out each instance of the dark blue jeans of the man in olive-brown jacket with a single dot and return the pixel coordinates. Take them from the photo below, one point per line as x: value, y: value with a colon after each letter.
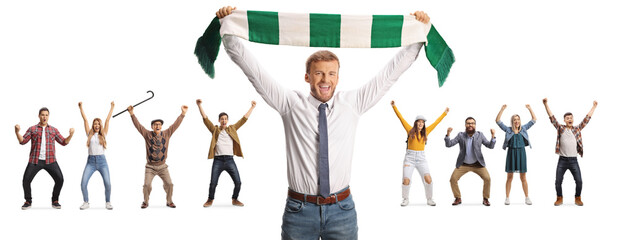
x: 220, y: 164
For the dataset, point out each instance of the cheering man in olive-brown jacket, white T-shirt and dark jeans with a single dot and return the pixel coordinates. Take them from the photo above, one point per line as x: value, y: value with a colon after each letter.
x: 224, y: 144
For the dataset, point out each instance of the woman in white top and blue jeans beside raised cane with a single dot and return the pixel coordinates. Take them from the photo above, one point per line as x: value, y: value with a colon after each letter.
x: 96, y: 156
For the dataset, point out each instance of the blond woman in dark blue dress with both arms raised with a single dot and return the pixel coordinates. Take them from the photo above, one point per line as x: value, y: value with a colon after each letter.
x: 516, y: 139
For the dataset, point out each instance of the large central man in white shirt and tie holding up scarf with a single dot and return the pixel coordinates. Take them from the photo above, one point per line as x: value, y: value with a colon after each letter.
x: 319, y: 203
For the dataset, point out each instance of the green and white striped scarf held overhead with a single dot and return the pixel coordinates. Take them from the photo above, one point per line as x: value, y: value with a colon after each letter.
x: 325, y: 30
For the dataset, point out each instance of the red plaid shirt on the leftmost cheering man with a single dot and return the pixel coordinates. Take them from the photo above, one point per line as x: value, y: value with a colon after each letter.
x: 34, y: 133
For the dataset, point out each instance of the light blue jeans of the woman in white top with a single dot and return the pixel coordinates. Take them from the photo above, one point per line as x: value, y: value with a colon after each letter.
x: 96, y: 163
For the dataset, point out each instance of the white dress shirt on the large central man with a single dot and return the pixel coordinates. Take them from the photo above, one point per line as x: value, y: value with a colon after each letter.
x: 299, y: 112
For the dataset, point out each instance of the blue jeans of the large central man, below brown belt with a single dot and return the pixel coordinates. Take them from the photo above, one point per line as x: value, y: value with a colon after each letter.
x: 305, y: 220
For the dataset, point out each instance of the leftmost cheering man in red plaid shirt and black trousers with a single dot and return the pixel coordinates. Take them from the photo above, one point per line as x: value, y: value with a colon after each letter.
x: 42, y: 155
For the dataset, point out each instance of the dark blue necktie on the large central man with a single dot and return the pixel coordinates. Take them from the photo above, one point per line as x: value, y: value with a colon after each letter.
x: 323, y: 163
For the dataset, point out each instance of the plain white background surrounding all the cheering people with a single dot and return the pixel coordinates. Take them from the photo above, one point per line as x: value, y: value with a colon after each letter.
x: 57, y: 53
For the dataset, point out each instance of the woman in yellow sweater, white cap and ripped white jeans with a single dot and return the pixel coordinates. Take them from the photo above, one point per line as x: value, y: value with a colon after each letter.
x: 415, y: 155
